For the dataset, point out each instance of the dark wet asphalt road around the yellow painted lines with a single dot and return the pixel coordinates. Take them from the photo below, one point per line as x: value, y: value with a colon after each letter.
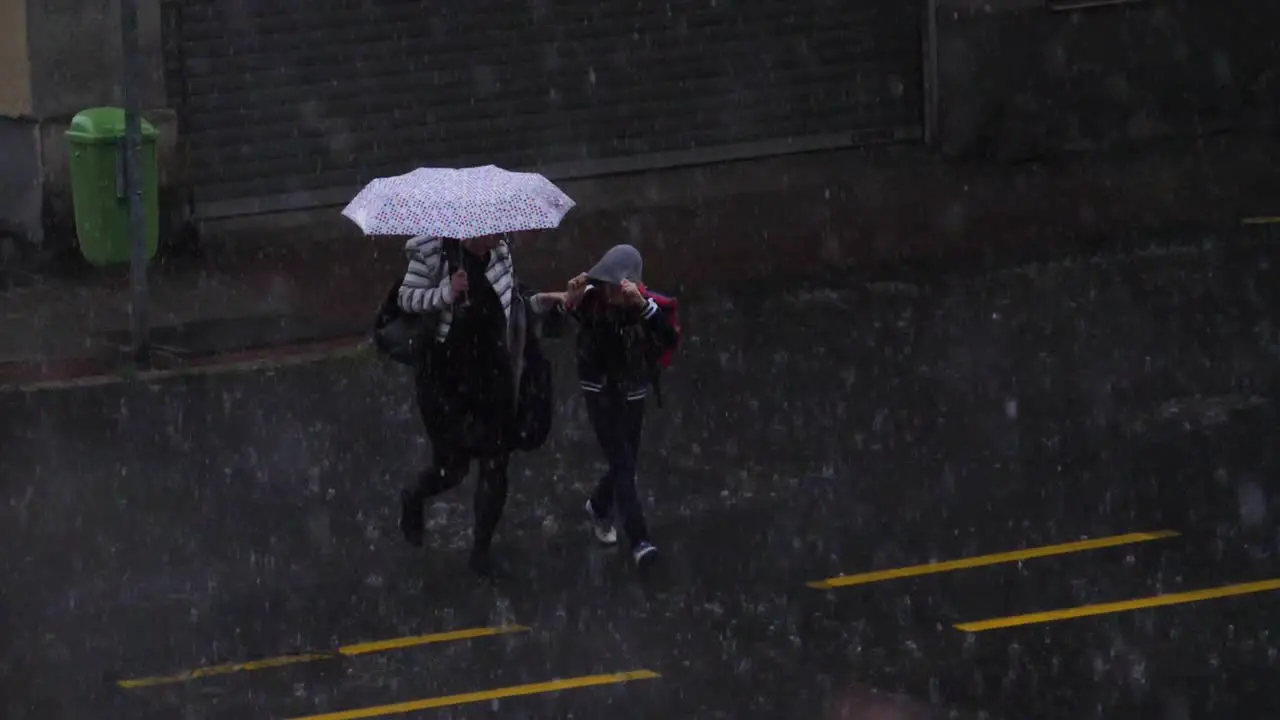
x: 234, y: 518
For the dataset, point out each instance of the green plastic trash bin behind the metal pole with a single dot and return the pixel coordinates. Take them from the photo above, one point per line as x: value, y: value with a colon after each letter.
x: 97, y: 140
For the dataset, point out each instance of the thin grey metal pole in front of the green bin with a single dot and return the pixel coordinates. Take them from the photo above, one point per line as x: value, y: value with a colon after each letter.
x: 131, y: 62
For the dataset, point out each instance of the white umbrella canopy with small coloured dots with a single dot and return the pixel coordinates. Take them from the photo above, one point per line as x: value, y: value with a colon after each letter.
x: 459, y: 203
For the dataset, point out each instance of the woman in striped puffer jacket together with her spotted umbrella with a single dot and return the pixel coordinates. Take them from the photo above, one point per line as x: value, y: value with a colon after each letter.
x: 470, y: 371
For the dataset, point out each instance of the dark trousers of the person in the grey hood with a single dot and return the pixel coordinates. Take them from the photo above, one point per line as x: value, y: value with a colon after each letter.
x: 618, y: 423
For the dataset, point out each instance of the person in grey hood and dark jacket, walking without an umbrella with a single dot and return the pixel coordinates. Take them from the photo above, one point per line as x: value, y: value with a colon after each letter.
x: 621, y: 334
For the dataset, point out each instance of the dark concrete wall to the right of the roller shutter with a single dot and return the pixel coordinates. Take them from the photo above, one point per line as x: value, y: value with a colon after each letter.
x: 1021, y: 81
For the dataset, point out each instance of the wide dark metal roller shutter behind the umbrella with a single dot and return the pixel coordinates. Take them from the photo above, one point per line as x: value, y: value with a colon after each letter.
x: 292, y: 106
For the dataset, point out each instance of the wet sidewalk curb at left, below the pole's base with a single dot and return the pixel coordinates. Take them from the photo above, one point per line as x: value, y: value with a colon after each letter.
x: 81, y: 373
